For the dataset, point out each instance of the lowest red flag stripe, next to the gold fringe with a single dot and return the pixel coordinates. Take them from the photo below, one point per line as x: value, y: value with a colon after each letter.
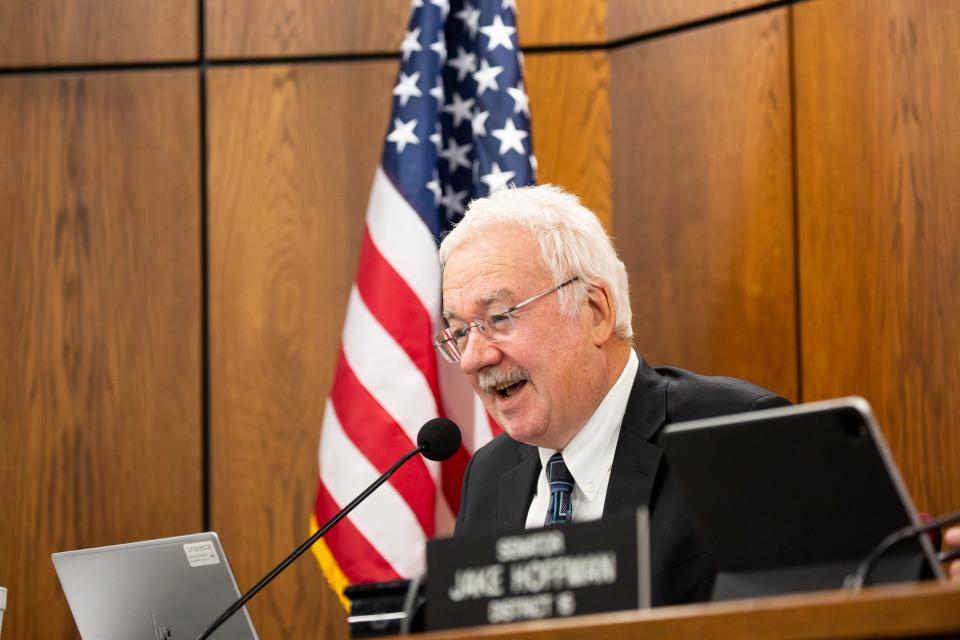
x: 357, y: 558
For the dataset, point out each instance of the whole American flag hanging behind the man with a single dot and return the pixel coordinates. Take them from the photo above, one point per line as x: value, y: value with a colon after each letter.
x: 459, y: 129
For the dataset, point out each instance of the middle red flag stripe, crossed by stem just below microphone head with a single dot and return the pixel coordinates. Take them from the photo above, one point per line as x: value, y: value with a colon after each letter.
x: 381, y: 440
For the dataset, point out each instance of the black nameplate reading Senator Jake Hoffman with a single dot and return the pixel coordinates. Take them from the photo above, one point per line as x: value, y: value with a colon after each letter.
x: 535, y: 574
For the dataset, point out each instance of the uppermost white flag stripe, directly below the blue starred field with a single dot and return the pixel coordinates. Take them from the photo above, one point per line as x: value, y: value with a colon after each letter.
x: 404, y: 241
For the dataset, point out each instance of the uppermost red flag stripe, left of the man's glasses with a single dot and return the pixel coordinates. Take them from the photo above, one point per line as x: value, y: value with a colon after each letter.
x: 398, y: 310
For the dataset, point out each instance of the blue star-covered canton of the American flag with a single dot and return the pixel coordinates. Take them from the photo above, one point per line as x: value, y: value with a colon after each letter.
x: 460, y: 123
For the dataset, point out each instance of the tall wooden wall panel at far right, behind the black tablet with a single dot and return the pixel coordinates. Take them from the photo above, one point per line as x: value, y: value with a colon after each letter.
x: 879, y: 202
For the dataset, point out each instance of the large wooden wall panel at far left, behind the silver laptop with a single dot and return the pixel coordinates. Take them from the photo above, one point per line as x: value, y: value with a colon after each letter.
x: 100, y: 389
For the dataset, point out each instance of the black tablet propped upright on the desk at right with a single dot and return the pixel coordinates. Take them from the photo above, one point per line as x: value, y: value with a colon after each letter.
x: 793, y: 499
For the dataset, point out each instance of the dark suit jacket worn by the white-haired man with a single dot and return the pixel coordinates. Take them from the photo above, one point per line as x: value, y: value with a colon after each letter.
x: 501, y: 478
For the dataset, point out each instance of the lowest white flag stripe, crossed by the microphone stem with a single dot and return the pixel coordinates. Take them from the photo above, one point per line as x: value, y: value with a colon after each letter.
x: 384, y: 518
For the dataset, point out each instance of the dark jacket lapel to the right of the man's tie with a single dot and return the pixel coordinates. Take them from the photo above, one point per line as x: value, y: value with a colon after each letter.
x: 636, y: 460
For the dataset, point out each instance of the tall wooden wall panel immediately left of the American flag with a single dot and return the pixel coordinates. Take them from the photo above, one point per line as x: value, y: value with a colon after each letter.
x: 292, y: 158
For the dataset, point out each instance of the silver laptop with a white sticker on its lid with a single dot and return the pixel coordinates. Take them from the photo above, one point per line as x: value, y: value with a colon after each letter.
x: 157, y: 589
